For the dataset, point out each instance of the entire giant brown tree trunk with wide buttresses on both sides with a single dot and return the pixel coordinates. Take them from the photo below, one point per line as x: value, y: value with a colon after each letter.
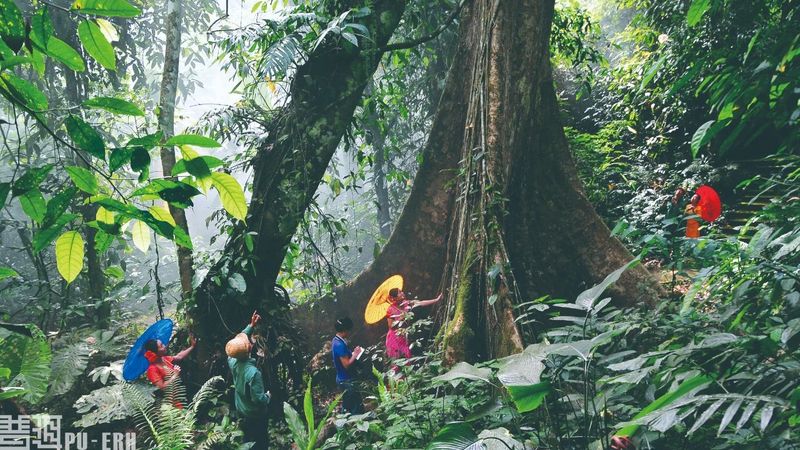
x: 522, y: 226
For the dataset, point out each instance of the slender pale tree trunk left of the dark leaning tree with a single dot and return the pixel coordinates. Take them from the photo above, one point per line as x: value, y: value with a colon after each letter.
x: 166, y: 123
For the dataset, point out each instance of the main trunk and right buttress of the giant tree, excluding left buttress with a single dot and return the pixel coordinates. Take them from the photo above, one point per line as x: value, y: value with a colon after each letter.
x: 530, y: 220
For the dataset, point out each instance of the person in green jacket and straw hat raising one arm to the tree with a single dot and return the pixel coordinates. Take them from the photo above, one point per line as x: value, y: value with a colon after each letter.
x: 250, y: 400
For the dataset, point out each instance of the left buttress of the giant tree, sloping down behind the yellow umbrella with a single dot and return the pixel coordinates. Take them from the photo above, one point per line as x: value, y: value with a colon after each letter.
x: 418, y: 243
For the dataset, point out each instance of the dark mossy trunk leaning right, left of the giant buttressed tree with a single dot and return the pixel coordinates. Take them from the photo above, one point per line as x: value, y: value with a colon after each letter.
x: 323, y: 96
